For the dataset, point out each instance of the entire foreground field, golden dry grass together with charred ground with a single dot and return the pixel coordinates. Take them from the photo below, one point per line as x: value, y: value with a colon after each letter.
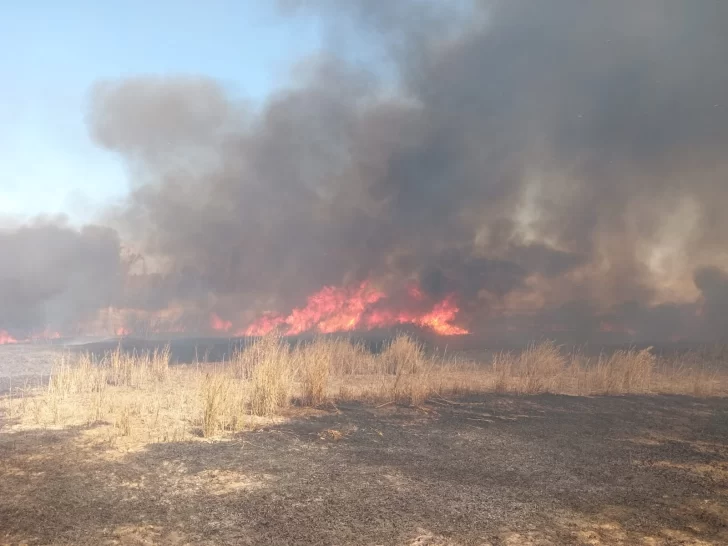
x: 405, y: 446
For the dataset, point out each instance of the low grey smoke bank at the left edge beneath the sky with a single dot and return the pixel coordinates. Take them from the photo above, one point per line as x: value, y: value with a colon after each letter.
x: 53, y: 275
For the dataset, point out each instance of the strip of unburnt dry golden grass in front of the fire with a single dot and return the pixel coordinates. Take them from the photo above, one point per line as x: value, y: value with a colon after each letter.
x: 139, y: 397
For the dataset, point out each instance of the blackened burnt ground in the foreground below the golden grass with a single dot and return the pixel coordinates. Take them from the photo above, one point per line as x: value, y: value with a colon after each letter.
x: 492, y: 469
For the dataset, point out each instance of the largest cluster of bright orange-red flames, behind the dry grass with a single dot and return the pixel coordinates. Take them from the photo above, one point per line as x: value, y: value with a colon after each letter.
x: 362, y: 308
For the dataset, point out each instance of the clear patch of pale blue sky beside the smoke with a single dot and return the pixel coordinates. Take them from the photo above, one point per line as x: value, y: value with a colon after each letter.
x: 52, y: 52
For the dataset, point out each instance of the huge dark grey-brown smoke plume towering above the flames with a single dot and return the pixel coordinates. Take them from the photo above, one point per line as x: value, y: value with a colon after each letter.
x: 559, y: 165
